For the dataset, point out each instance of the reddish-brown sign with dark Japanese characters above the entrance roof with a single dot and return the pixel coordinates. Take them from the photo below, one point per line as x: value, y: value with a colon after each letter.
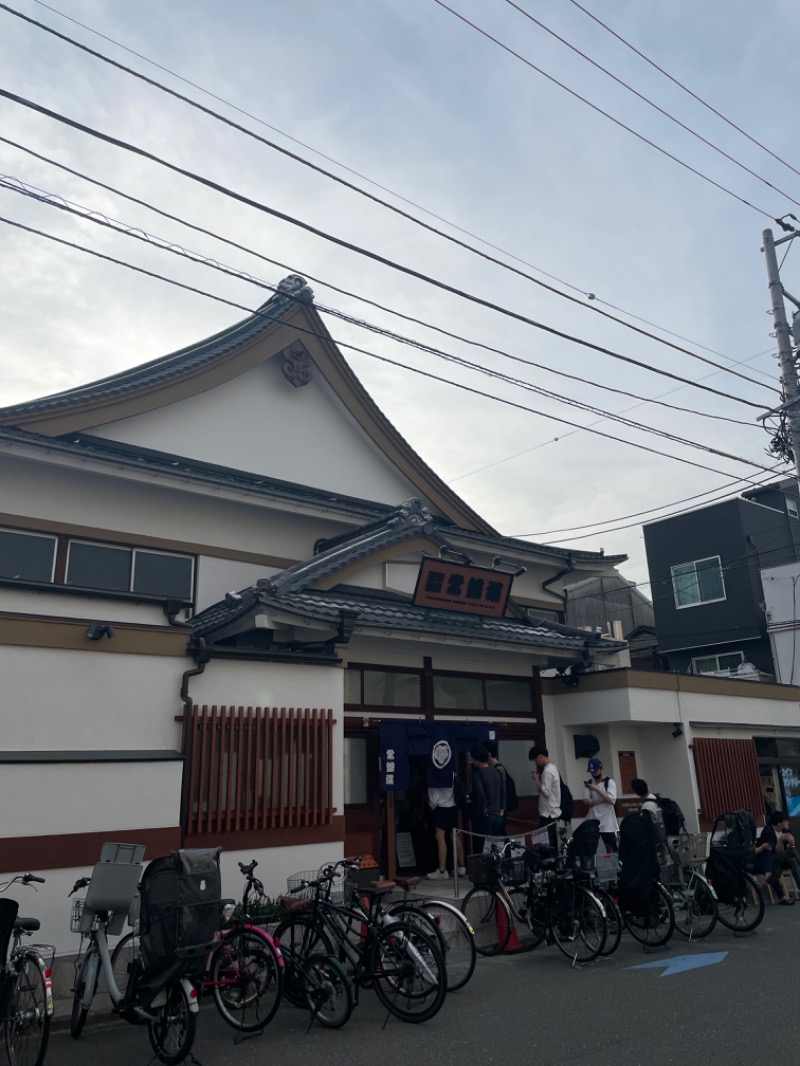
x: 453, y: 587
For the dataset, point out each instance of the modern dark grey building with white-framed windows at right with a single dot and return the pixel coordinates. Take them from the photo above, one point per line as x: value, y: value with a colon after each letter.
x: 707, y: 586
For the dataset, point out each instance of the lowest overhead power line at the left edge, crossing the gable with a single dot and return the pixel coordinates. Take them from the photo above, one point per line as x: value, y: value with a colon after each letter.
x: 381, y: 359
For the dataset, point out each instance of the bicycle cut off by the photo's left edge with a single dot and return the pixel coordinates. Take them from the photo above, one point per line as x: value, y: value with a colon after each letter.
x: 26, y: 983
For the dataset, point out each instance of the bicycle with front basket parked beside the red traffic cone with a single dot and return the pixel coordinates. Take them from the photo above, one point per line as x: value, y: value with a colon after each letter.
x: 538, y: 899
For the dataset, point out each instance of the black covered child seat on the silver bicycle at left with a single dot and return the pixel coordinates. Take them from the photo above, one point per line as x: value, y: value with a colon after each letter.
x: 180, y: 917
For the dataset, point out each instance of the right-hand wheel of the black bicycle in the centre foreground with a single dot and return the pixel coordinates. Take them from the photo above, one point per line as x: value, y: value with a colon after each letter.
x: 409, y: 973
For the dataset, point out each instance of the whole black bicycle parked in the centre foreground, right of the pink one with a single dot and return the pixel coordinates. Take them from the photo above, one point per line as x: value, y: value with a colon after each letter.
x: 397, y: 959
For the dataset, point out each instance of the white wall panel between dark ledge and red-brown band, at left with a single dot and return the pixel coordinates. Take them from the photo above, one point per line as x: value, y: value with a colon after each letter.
x: 67, y: 798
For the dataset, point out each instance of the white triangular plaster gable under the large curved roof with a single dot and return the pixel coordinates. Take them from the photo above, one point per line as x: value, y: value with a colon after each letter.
x: 296, y: 434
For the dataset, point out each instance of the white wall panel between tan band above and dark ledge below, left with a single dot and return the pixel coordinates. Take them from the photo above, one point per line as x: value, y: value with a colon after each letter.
x: 56, y: 700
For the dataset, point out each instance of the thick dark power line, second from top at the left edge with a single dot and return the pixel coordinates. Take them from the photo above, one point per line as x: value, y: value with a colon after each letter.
x: 376, y: 257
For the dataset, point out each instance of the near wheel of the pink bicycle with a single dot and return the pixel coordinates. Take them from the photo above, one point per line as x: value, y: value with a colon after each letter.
x: 247, y: 980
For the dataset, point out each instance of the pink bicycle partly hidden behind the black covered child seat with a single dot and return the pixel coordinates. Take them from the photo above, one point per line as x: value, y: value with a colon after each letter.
x: 244, y: 972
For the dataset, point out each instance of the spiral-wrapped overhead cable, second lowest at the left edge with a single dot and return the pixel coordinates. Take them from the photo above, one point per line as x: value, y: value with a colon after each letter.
x: 170, y: 247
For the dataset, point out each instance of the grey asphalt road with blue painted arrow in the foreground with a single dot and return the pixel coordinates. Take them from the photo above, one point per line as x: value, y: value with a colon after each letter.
x: 633, y: 1010
